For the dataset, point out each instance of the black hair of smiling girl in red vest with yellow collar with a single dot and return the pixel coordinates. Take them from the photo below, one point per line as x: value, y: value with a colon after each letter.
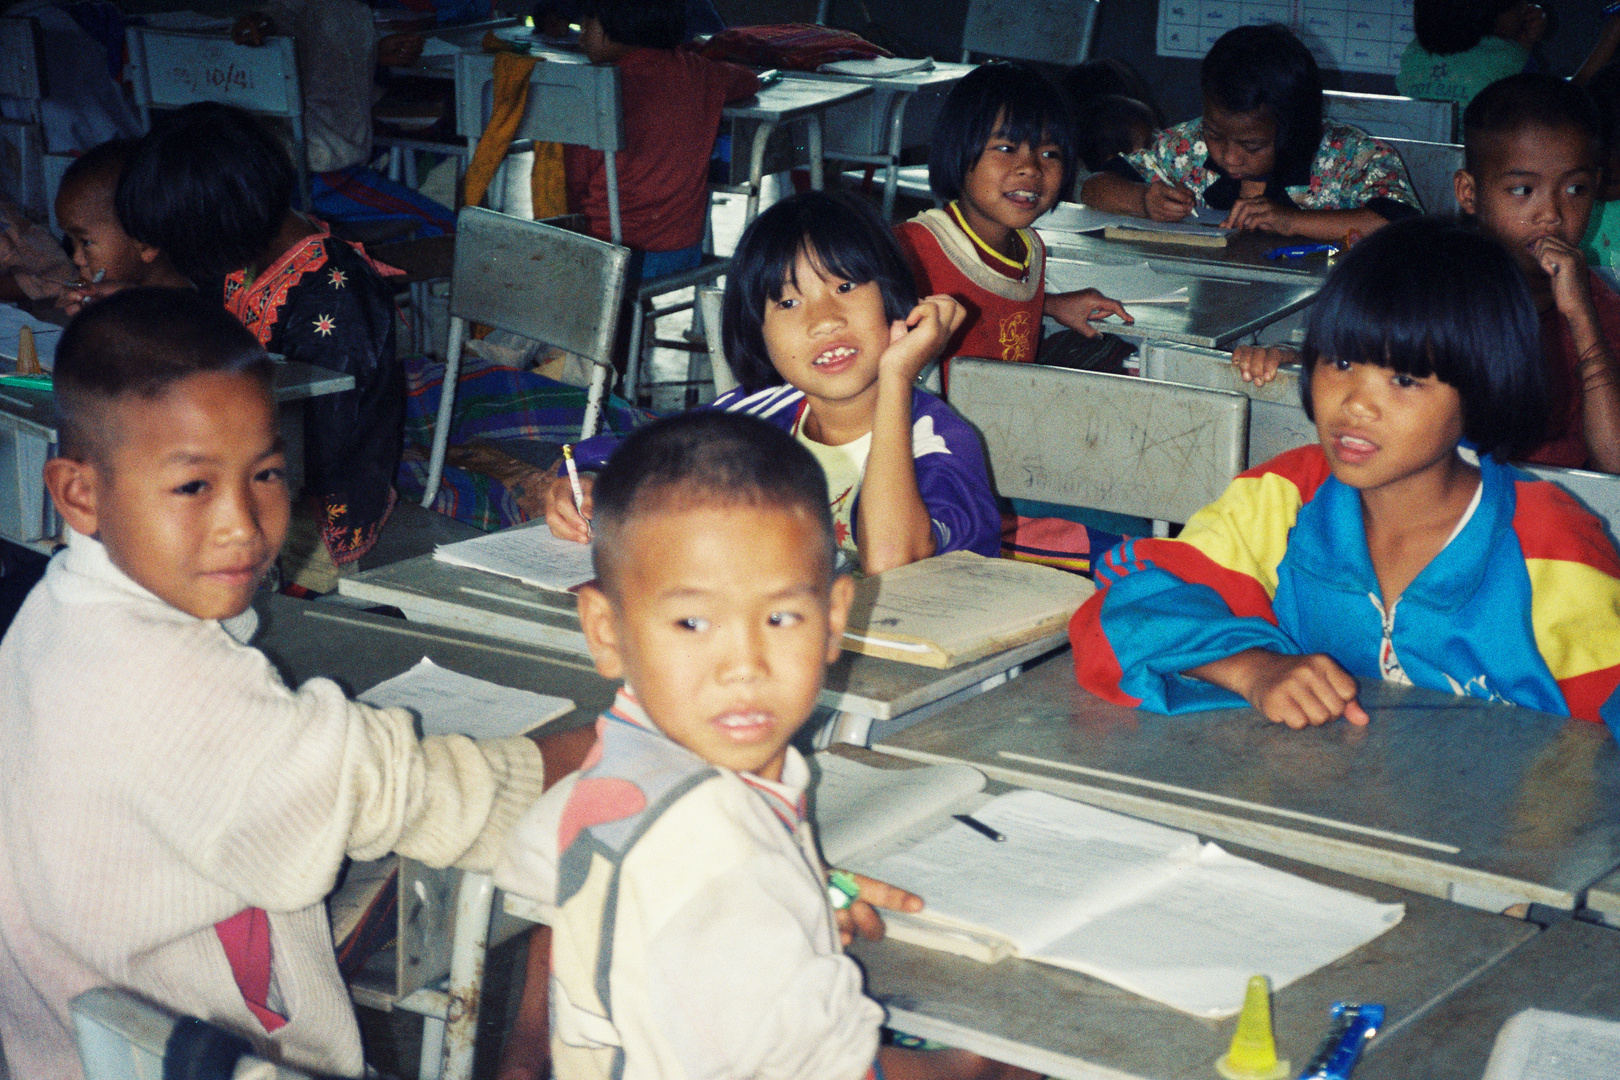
x: 1028, y: 108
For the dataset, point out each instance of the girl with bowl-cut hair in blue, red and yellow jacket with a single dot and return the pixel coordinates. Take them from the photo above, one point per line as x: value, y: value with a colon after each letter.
x: 1392, y: 550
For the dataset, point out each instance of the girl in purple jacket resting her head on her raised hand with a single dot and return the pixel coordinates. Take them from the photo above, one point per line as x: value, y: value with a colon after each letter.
x: 827, y: 336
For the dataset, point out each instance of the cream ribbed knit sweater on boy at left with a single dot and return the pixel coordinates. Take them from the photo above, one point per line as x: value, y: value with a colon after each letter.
x: 158, y: 778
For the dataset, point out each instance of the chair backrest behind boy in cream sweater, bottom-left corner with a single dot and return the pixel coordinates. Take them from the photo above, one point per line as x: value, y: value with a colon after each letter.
x: 124, y: 1037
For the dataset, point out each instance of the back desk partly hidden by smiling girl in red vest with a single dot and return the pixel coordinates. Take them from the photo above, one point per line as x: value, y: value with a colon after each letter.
x: 900, y: 114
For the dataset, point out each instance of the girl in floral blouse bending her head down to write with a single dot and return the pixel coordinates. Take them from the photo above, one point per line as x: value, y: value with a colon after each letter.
x: 1261, y: 151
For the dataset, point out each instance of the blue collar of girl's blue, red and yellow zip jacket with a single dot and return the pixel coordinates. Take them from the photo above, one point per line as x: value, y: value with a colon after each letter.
x: 1332, y: 543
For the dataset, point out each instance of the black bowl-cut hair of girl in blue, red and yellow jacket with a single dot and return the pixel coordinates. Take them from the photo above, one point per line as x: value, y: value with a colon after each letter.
x: 1430, y: 296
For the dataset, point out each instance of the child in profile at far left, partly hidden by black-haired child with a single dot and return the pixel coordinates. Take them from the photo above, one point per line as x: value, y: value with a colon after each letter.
x: 103, y: 252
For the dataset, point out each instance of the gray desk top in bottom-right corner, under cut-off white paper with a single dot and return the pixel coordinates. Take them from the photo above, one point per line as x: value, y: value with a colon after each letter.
x: 1571, y: 967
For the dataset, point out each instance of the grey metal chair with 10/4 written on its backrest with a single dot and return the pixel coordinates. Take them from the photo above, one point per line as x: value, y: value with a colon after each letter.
x: 174, y: 69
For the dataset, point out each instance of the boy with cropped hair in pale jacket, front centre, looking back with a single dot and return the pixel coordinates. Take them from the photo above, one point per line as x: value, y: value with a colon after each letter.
x: 693, y: 933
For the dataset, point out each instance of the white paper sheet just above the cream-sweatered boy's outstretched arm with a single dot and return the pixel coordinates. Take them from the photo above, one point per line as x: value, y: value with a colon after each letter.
x: 451, y: 704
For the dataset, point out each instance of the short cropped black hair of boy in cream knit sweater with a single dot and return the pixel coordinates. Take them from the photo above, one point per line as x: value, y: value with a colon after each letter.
x: 140, y: 342
